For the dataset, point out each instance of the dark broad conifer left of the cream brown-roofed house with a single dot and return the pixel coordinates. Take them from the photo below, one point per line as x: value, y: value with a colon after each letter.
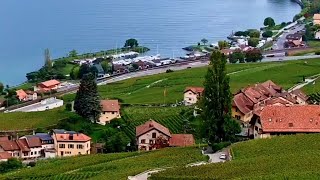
x: 87, y: 103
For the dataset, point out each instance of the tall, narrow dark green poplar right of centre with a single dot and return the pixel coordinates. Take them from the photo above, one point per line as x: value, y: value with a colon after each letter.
x: 216, y: 100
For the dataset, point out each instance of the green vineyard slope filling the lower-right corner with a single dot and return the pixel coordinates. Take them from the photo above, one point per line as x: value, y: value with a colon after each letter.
x: 284, y: 157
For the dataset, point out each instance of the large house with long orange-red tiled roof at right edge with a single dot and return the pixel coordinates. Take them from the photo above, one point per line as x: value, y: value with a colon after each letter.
x: 284, y: 120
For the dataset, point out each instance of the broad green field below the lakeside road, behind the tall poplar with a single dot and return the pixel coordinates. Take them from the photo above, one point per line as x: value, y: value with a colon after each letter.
x: 150, y: 89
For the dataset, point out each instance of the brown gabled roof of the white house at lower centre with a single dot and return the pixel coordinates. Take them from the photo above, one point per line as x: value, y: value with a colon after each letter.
x: 149, y: 125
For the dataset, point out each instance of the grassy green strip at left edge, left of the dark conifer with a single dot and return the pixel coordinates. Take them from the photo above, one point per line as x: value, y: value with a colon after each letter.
x: 32, y: 120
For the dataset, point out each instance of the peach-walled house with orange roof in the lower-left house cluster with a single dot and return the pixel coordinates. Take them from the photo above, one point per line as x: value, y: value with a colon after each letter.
x: 70, y: 143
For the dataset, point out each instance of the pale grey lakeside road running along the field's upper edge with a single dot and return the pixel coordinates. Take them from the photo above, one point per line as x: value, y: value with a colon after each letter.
x: 193, y: 65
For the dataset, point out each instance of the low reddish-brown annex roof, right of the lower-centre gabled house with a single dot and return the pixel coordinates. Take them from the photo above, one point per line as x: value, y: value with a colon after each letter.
x: 181, y: 140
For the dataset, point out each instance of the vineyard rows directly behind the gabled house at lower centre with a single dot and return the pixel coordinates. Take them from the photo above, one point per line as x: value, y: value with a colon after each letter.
x: 167, y: 116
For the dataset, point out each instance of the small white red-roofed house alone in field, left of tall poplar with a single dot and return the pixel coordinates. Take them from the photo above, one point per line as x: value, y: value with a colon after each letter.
x: 192, y: 95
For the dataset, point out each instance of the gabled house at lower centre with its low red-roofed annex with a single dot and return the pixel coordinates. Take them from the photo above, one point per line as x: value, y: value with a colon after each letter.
x: 150, y: 133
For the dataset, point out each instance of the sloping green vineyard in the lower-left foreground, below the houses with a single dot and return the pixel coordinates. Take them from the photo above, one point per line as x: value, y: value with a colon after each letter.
x: 108, y: 166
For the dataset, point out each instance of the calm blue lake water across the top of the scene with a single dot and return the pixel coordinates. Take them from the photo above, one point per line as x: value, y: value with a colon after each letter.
x: 28, y: 27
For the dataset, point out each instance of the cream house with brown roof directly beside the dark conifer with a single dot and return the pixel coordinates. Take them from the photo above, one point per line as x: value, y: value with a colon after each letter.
x: 110, y: 110
